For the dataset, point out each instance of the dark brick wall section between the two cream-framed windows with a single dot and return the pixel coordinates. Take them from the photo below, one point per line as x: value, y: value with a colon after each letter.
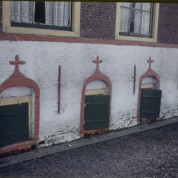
x: 98, y: 20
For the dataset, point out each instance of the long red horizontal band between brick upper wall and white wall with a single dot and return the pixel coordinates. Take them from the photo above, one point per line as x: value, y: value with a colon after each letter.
x: 20, y: 37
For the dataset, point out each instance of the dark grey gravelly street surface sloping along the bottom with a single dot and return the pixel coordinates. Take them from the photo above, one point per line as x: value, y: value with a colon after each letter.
x: 152, y: 153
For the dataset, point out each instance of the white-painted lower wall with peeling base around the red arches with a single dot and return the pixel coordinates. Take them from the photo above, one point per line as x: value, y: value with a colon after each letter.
x: 42, y: 63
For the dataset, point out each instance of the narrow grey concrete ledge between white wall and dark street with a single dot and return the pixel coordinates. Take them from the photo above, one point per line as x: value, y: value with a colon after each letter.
x: 14, y: 159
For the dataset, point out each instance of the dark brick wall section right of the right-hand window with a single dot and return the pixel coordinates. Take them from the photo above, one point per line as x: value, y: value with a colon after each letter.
x: 168, y: 23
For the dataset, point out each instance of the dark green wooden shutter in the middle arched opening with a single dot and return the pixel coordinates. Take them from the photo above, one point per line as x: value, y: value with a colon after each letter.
x: 96, y: 112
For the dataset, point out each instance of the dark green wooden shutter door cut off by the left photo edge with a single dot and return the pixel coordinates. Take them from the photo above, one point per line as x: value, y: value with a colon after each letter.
x: 14, y: 125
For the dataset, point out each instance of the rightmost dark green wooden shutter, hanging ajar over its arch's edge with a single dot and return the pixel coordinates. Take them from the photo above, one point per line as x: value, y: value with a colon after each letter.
x: 150, y: 103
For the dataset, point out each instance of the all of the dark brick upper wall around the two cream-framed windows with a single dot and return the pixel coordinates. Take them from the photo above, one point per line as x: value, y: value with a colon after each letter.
x: 98, y: 21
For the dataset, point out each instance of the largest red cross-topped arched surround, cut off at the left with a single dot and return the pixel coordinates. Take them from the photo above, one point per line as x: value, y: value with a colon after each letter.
x: 17, y: 79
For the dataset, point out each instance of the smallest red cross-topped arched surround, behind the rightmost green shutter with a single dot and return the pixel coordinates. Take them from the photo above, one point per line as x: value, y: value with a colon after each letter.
x: 148, y: 73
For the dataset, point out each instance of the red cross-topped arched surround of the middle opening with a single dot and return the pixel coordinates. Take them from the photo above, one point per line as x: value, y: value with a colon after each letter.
x: 97, y: 75
